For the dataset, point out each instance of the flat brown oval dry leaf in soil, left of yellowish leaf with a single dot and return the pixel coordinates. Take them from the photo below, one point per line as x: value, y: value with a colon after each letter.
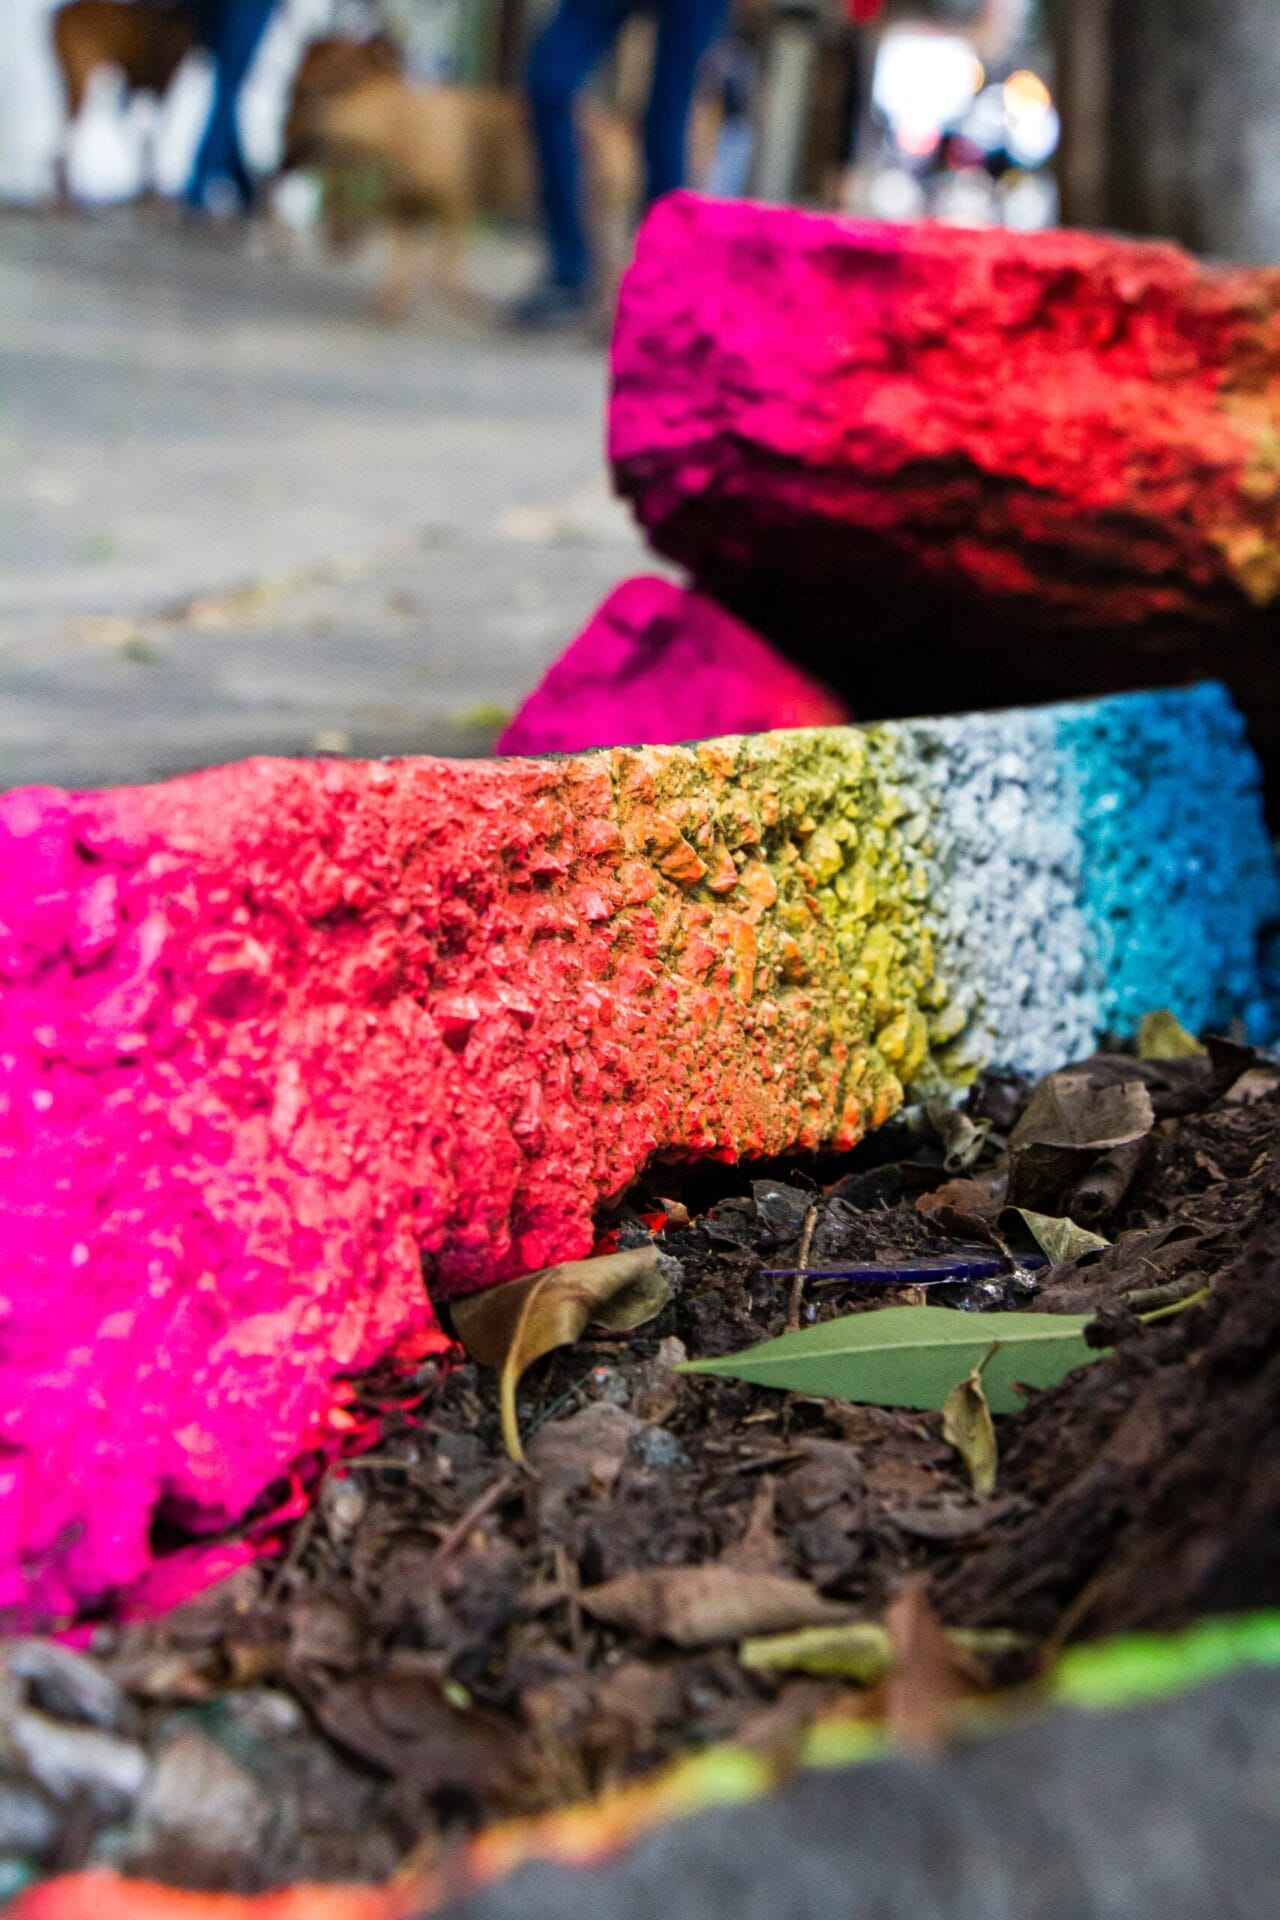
x: 707, y: 1606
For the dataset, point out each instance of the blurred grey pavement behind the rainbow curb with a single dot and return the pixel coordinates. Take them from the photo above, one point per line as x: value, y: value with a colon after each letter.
x: 241, y: 517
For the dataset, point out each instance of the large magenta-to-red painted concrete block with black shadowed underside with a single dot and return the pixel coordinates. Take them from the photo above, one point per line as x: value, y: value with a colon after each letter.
x: 1055, y: 454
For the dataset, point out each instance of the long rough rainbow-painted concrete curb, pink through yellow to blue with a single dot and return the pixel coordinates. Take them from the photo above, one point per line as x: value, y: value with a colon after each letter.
x: 285, y: 1040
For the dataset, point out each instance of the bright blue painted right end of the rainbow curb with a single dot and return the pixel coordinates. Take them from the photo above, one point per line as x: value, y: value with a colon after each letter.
x: 1179, y: 876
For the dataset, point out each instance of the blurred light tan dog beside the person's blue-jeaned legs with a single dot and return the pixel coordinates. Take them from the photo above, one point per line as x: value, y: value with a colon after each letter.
x: 444, y: 155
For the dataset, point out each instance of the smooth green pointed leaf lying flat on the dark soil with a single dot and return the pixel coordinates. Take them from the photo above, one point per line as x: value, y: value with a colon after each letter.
x: 914, y: 1356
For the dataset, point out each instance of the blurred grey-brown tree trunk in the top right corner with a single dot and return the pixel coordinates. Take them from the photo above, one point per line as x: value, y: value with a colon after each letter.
x: 1172, y: 120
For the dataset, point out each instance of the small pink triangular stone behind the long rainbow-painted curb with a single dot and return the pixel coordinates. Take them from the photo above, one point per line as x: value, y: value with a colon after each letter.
x: 661, y: 665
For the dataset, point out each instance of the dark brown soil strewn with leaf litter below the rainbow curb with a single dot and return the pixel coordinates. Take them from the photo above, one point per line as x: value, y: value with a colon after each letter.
x: 421, y: 1660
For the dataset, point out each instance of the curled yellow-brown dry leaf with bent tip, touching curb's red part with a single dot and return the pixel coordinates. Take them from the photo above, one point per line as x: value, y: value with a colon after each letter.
x: 510, y: 1328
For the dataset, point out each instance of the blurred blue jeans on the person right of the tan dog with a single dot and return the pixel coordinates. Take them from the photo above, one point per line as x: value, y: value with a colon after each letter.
x: 577, y: 39
